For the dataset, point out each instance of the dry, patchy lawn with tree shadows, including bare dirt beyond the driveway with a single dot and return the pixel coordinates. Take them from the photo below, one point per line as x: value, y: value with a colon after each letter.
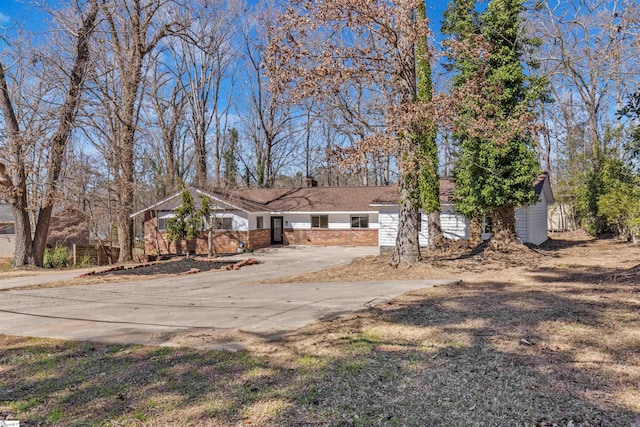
x: 546, y: 337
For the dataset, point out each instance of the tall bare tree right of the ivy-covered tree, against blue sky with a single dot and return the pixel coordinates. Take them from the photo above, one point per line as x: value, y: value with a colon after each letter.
x: 587, y: 51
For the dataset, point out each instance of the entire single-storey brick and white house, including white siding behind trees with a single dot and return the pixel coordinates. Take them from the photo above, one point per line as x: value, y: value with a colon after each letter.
x: 326, y: 216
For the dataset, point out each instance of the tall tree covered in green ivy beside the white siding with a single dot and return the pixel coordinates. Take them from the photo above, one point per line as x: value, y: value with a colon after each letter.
x: 495, y: 104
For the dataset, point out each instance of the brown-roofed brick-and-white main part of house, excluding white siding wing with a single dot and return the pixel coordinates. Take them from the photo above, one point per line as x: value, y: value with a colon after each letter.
x: 257, y: 218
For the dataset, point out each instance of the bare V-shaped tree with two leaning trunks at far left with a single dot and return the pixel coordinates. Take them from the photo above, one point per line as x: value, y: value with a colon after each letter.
x: 79, y: 23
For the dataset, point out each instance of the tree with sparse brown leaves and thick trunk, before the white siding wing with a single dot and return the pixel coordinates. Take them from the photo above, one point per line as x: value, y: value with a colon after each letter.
x: 360, y: 42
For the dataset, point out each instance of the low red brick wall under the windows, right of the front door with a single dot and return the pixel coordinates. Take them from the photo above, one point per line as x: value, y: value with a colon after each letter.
x: 332, y: 237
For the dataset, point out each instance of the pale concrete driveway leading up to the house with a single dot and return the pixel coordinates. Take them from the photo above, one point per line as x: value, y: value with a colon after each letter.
x: 213, y: 306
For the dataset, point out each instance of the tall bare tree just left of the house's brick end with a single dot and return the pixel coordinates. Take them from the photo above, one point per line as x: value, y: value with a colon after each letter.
x: 132, y: 30
